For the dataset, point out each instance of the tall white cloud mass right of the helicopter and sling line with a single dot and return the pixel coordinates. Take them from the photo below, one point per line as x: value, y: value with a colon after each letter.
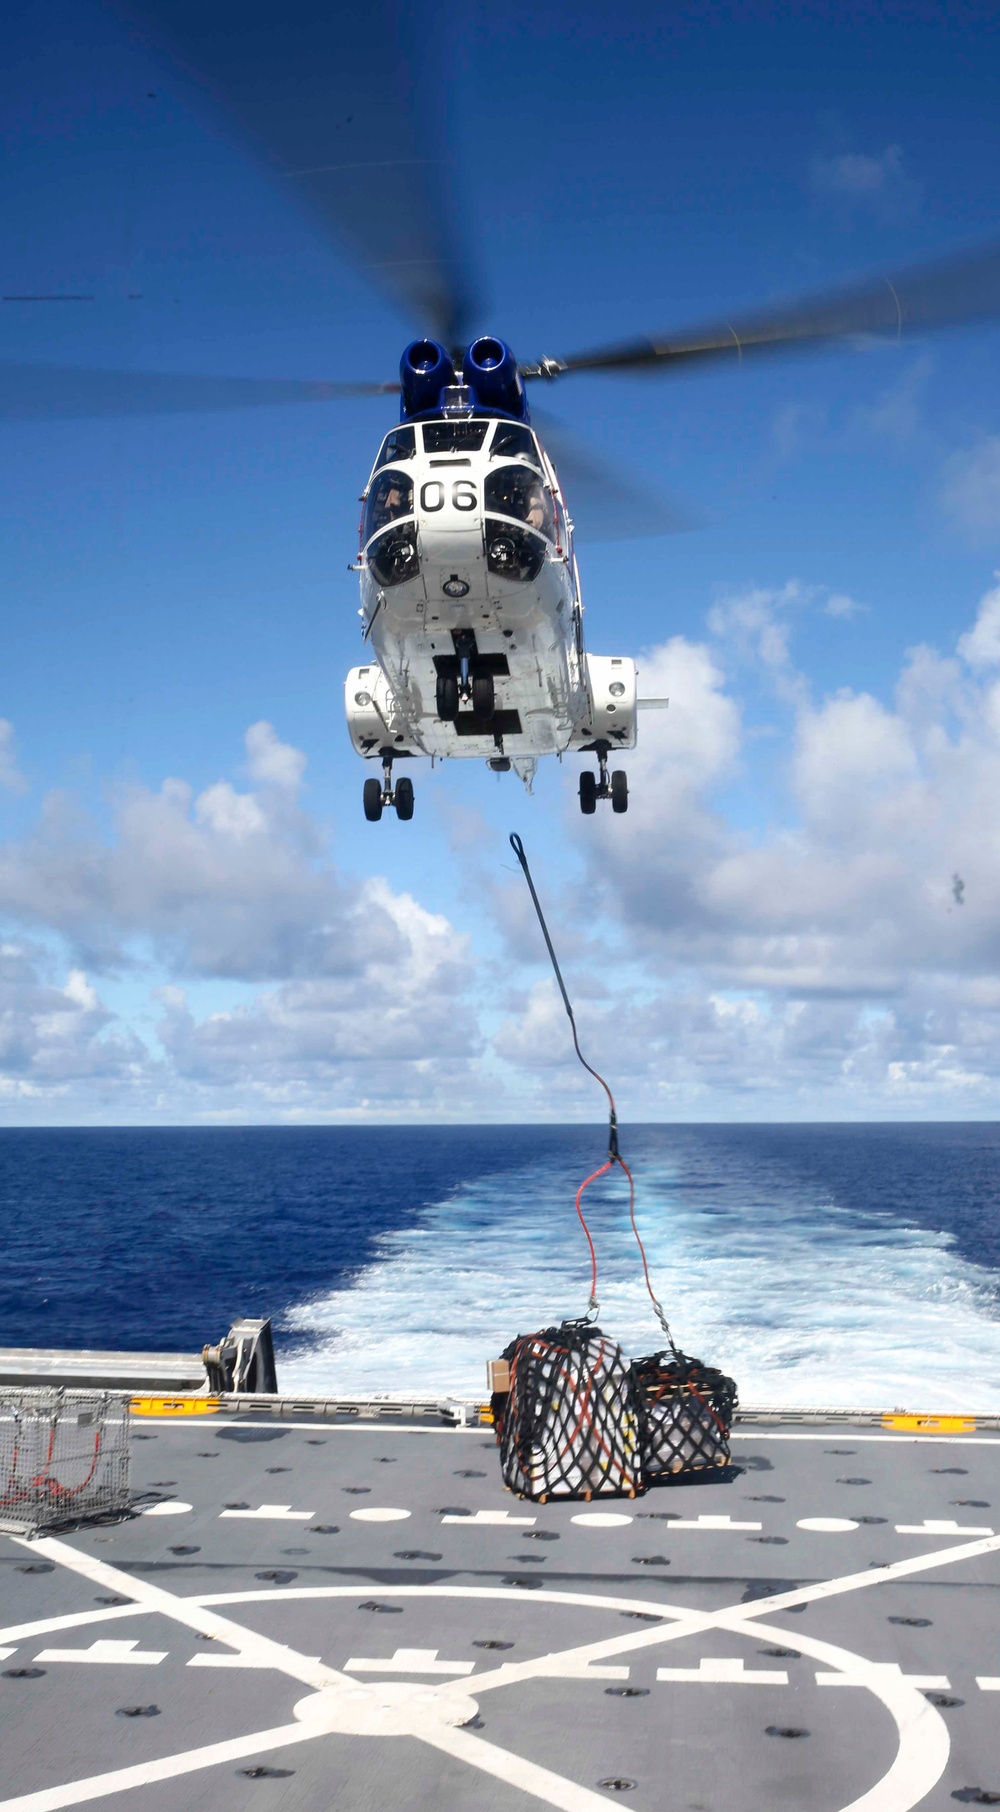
x: 820, y: 958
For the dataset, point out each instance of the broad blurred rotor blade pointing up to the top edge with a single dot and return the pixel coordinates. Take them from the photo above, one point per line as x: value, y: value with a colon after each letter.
x: 349, y: 106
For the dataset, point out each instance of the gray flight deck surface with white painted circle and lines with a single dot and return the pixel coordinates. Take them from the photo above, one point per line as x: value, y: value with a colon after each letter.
x: 345, y: 1643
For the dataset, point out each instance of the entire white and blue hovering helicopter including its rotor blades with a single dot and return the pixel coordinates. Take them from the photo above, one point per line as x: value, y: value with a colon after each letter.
x: 470, y: 590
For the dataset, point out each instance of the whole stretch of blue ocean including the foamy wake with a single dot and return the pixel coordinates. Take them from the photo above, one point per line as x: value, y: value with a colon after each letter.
x: 822, y: 1266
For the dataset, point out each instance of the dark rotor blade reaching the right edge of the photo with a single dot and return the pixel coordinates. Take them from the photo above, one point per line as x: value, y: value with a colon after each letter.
x: 930, y: 296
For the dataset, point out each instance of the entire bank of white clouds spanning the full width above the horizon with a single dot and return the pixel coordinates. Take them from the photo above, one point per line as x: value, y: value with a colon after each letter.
x: 771, y: 930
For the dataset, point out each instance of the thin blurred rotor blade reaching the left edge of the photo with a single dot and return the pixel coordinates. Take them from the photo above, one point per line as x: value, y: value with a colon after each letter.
x: 53, y: 392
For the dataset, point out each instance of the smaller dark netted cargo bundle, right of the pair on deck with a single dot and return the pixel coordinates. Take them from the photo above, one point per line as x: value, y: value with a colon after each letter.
x: 686, y: 1414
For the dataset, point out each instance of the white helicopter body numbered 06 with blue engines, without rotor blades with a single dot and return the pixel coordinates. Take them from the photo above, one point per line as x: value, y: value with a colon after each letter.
x: 470, y: 593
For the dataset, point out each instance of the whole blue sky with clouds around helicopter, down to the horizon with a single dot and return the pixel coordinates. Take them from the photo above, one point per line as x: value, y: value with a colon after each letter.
x: 197, y: 920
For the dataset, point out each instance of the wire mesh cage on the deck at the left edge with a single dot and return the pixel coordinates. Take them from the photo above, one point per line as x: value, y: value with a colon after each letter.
x: 64, y: 1458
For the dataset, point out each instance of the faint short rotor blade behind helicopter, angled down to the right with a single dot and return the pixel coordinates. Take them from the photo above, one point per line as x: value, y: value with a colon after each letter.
x: 606, y: 503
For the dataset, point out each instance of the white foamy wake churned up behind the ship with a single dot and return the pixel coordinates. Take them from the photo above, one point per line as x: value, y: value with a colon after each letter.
x: 803, y: 1304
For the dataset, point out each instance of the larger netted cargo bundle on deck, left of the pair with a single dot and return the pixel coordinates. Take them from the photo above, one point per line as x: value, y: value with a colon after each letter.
x: 568, y: 1425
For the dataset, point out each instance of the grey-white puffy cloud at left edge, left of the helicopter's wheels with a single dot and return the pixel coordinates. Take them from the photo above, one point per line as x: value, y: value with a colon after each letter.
x: 224, y: 885
